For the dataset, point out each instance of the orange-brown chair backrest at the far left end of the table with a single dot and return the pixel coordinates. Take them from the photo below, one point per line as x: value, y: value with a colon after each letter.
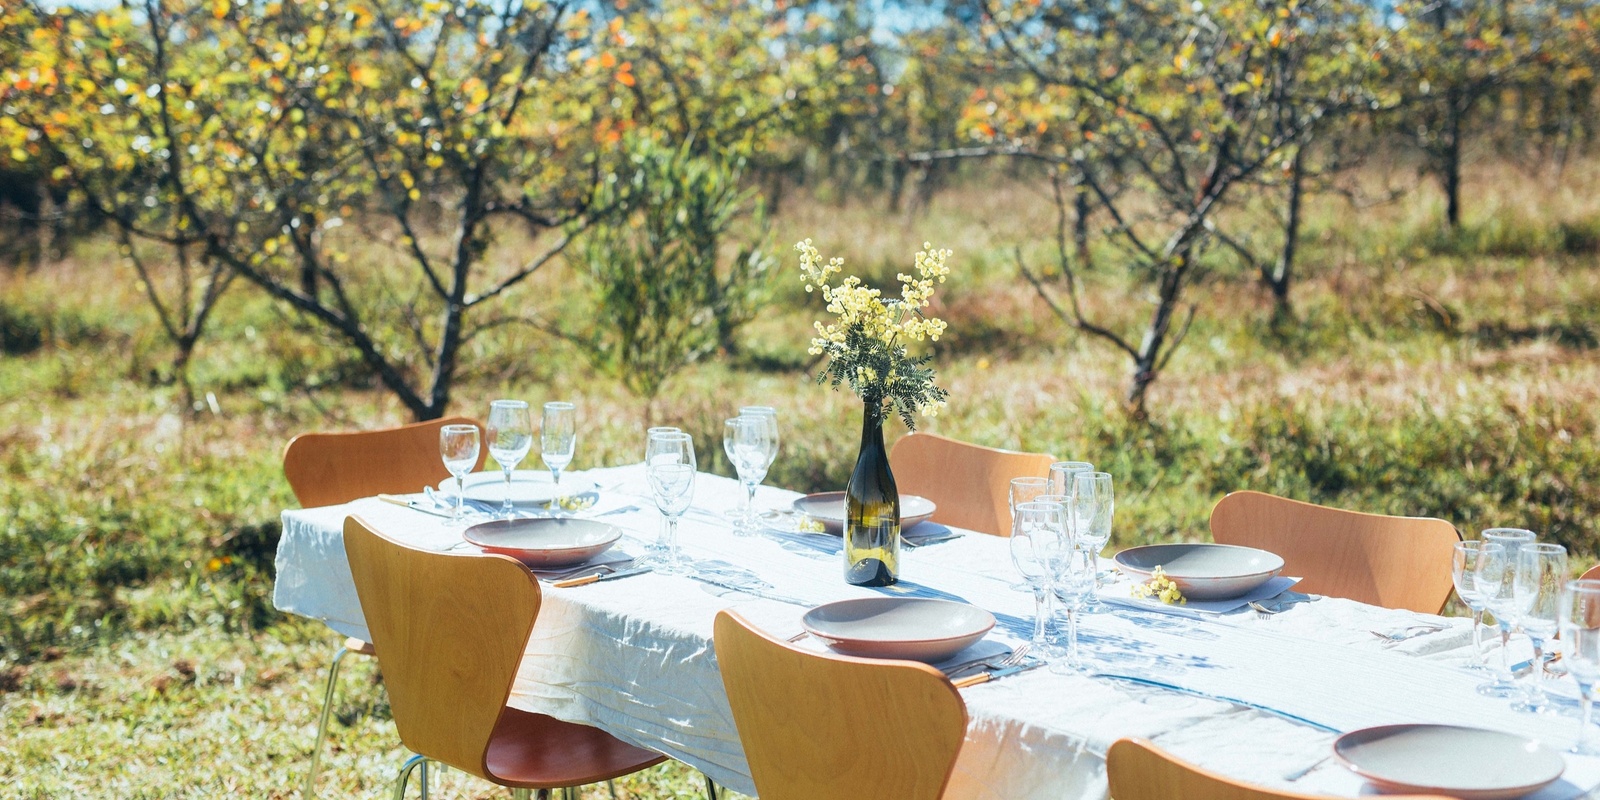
x: 326, y: 470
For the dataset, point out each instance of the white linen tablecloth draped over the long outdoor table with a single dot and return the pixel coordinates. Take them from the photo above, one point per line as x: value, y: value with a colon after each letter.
x: 1254, y: 697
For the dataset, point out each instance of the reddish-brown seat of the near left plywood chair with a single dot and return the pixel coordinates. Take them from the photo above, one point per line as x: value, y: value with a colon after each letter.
x: 534, y: 751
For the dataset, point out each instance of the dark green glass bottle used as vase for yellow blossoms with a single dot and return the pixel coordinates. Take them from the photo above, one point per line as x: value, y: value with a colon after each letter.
x: 873, y: 510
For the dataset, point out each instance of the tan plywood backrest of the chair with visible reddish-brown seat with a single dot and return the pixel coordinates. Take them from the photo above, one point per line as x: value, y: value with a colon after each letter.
x: 450, y: 631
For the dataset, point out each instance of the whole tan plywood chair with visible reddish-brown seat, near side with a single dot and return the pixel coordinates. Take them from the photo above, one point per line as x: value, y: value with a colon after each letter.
x: 450, y: 631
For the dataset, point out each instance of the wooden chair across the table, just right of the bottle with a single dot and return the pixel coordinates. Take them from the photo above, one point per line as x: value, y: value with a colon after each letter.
x: 970, y: 484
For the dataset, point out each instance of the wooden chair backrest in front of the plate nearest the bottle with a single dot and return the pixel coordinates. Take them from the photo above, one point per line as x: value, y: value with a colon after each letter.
x: 822, y: 726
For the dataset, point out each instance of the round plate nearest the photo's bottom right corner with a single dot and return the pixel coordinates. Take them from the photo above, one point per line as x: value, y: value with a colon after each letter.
x: 1471, y: 764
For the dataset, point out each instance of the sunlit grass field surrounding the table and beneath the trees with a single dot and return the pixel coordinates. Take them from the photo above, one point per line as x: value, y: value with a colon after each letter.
x: 140, y: 657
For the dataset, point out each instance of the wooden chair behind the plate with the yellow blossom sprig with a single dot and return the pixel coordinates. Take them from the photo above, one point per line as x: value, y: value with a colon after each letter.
x: 1394, y: 562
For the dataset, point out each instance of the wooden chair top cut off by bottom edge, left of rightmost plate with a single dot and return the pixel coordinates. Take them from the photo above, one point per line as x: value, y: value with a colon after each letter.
x: 1142, y: 772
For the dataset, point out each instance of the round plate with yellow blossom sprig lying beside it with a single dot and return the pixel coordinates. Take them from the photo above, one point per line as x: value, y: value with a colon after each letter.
x: 1204, y: 572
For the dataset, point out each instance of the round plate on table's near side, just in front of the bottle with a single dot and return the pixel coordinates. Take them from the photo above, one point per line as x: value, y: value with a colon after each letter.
x: 902, y: 628
